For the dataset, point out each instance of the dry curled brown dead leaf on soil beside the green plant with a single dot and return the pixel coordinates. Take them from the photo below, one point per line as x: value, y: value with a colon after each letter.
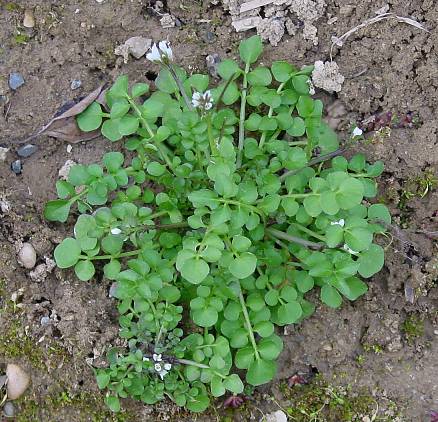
x: 64, y: 127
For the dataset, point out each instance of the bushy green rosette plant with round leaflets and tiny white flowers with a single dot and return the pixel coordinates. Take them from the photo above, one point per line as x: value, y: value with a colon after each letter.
x: 220, y: 213
